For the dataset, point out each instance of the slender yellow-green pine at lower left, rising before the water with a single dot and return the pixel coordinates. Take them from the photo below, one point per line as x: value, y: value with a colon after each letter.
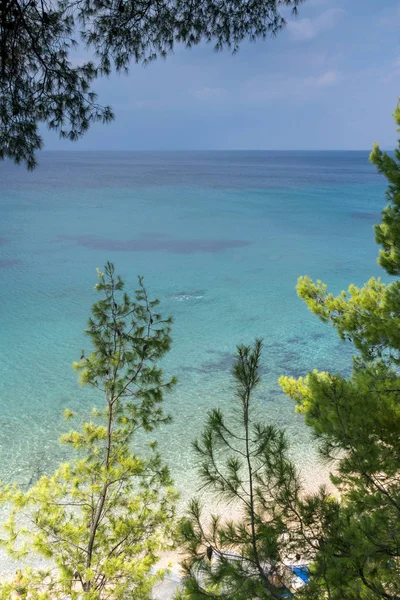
x: 102, y: 518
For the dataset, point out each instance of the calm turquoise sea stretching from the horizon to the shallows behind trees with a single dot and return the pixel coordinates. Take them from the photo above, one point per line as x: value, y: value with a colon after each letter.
x: 220, y: 239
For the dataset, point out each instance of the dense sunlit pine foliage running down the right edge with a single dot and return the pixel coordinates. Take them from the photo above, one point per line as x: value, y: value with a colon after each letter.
x: 357, y: 420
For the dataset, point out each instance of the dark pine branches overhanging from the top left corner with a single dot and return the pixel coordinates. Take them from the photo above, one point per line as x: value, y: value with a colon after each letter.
x: 40, y: 84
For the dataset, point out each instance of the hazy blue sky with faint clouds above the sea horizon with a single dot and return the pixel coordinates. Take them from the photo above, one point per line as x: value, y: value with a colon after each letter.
x: 329, y: 81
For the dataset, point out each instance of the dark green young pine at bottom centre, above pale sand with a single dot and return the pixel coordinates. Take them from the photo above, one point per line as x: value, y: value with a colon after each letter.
x: 245, y: 466
